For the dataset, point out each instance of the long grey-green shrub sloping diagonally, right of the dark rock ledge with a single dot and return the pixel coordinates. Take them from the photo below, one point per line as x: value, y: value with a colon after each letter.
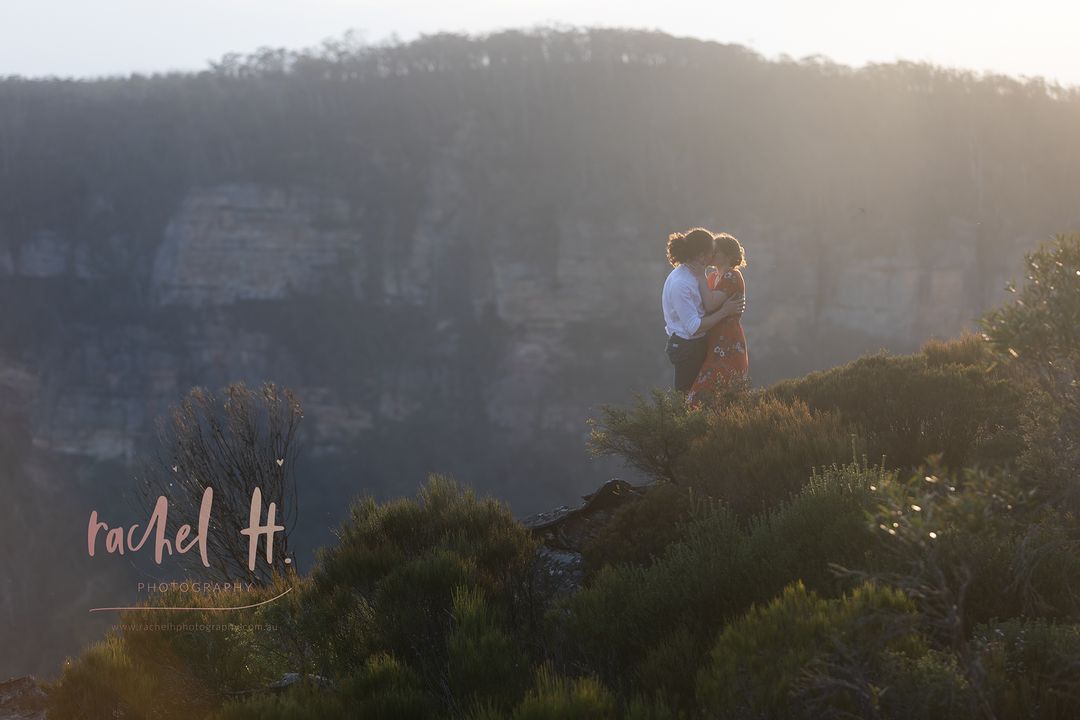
x: 647, y: 628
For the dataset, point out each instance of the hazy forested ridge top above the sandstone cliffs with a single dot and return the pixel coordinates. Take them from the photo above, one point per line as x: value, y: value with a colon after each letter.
x: 622, y: 113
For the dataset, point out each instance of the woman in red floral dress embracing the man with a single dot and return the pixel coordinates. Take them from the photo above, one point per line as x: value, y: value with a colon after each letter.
x: 727, y: 360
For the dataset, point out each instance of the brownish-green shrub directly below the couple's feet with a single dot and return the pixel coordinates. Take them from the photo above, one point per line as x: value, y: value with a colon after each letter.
x: 752, y: 453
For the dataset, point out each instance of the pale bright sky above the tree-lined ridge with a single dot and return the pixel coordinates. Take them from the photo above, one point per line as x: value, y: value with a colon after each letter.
x: 89, y: 38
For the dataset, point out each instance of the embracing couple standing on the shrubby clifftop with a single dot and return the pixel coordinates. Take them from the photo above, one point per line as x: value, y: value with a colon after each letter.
x: 704, y: 301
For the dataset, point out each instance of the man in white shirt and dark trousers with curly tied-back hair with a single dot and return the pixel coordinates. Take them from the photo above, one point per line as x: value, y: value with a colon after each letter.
x: 685, y: 319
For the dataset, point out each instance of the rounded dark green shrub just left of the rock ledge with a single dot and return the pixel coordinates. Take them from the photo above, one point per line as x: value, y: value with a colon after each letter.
x: 397, y: 565
